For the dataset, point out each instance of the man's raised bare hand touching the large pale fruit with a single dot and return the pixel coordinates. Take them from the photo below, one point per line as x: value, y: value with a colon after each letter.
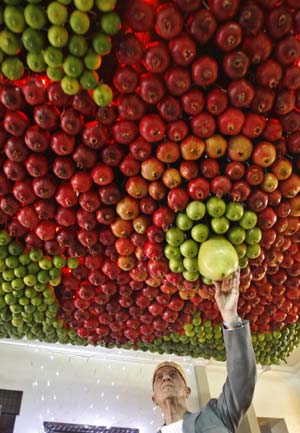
x: 227, y: 295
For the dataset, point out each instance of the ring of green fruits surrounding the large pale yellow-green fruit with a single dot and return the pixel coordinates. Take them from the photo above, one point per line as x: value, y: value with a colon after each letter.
x: 202, y: 220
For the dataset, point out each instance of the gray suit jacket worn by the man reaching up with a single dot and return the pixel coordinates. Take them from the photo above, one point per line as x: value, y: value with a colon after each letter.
x: 223, y: 415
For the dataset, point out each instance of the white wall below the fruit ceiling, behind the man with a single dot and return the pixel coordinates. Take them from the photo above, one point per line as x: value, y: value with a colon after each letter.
x: 111, y: 387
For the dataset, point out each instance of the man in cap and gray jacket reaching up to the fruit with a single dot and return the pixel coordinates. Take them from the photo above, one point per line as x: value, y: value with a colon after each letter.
x: 222, y: 415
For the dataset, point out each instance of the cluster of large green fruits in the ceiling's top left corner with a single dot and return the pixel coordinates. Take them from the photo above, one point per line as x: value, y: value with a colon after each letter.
x: 65, y: 38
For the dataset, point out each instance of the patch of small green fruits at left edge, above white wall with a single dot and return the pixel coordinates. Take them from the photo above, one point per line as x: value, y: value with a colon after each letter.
x: 27, y: 298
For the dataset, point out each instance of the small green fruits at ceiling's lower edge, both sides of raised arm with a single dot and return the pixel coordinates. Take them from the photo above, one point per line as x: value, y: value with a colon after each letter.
x: 202, y: 339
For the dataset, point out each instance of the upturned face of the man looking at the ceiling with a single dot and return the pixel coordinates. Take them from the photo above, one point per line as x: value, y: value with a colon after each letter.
x: 169, y: 384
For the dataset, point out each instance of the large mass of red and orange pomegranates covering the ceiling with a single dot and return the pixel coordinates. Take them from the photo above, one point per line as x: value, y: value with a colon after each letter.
x: 206, y: 102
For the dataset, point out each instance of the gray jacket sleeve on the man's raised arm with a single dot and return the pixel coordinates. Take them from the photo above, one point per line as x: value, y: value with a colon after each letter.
x: 238, y: 389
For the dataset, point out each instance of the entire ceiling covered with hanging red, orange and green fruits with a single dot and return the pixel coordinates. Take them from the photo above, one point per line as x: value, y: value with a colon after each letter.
x: 131, y: 132
